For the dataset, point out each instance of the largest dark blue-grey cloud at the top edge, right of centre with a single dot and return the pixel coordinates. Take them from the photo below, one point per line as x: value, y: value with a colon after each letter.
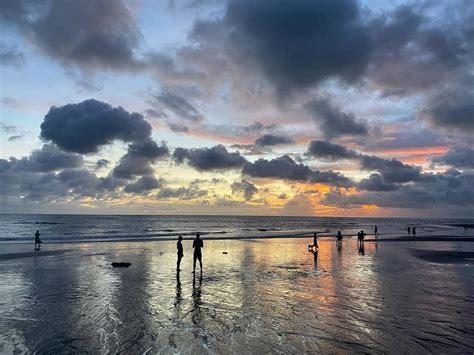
x: 298, y: 43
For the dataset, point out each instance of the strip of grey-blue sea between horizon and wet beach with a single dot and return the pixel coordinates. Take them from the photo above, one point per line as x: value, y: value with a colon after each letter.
x: 78, y: 228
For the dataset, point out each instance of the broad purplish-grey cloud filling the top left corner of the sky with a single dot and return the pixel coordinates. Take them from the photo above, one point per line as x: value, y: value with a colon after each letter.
x: 98, y: 34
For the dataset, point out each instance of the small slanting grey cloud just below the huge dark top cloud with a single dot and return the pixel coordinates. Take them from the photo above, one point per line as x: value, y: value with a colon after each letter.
x: 333, y: 121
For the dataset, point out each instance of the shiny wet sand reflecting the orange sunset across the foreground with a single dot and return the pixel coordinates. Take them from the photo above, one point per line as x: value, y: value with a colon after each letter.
x: 262, y: 296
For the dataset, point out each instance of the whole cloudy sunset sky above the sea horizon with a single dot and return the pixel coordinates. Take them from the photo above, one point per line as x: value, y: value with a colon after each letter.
x: 248, y: 107
